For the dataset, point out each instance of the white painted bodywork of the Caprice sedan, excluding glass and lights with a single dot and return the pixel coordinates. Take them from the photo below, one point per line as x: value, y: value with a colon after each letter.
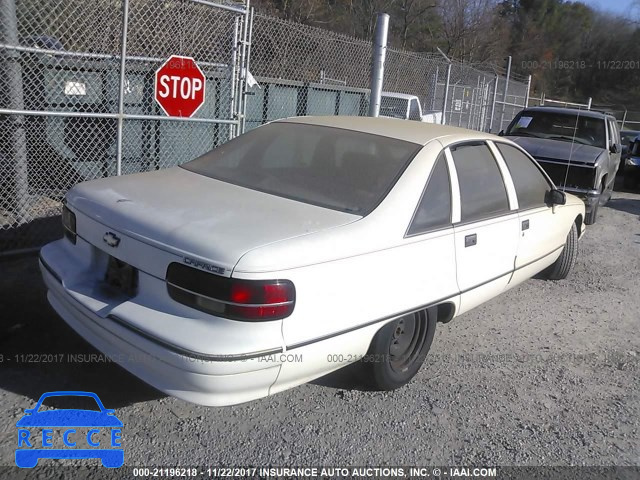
x: 352, y: 274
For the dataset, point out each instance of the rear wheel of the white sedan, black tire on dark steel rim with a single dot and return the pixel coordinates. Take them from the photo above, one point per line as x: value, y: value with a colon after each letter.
x: 398, y: 350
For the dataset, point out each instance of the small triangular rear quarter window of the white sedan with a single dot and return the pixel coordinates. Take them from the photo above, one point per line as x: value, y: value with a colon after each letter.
x: 434, y: 209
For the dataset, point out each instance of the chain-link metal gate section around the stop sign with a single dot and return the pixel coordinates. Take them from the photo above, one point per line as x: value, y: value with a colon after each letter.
x: 77, y: 97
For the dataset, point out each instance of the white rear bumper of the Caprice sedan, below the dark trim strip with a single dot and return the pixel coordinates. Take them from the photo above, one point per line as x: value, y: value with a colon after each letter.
x: 191, y: 378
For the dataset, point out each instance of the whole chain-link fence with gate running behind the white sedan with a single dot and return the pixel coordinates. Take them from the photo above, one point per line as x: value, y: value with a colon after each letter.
x: 77, y: 96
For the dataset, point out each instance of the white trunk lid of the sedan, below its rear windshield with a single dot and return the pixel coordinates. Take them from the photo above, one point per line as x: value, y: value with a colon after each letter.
x: 209, y: 221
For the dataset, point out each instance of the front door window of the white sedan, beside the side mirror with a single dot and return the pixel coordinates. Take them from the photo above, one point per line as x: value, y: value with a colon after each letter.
x: 531, y: 185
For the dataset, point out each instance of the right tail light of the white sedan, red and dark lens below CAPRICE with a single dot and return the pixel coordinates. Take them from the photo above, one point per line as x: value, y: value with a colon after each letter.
x: 247, y: 300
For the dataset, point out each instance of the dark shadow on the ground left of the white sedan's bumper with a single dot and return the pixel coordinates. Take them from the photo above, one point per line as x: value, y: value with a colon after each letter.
x: 41, y: 353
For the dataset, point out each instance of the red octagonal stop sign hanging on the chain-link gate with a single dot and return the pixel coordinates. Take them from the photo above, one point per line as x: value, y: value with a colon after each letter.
x: 180, y: 86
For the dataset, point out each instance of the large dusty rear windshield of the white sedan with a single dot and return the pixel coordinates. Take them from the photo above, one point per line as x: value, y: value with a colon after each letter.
x: 330, y: 167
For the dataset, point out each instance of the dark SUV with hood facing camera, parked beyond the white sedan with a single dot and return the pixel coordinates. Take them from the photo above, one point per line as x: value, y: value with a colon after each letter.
x: 579, y: 149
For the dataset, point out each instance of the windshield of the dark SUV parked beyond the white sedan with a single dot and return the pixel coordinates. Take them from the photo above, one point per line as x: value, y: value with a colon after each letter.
x: 567, y: 127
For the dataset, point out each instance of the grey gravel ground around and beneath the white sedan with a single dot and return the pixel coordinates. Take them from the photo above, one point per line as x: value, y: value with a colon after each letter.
x: 546, y: 374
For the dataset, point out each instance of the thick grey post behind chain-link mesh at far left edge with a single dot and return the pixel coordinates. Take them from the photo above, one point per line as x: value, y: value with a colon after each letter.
x: 15, y: 94
